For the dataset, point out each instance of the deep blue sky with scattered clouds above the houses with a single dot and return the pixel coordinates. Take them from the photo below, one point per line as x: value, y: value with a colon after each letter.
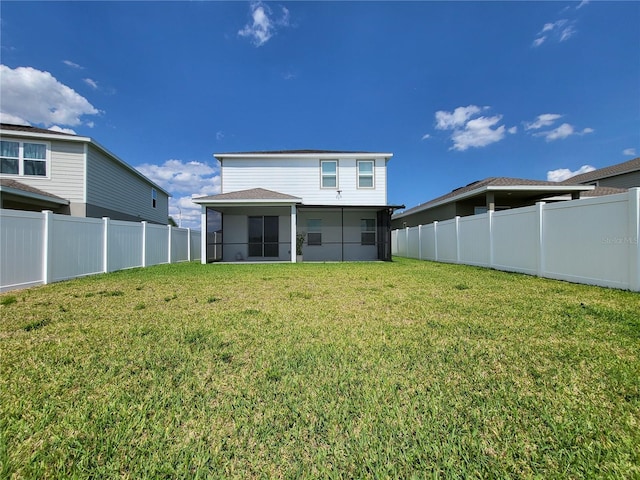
x: 457, y: 91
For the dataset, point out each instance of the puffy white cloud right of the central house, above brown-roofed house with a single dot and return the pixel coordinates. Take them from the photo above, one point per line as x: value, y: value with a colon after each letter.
x: 469, y: 131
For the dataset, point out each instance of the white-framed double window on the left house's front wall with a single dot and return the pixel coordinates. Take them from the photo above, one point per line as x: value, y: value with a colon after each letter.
x: 23, y: 158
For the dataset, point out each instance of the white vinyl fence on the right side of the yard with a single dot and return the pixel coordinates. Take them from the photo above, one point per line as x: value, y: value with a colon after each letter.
x: 591, y: 240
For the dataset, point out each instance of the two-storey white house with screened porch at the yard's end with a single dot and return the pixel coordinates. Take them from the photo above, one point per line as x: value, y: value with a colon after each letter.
x: 337, y: 201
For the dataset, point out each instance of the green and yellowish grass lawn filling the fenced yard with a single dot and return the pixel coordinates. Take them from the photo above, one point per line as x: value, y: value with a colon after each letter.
x: 379, y: 370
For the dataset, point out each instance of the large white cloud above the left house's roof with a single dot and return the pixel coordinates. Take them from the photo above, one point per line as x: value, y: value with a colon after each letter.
x: 37, y: 97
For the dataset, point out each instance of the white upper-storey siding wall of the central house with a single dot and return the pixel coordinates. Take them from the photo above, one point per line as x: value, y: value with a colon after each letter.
x: 301, y: 178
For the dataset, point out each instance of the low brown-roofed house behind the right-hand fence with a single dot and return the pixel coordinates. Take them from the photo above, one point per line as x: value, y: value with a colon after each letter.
x: 490, y: 194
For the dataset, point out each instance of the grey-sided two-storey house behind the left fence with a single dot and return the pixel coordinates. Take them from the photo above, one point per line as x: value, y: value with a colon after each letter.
x: 69, y: 174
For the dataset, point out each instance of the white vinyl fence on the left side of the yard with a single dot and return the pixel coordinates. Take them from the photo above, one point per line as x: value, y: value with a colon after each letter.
x: 40, y: 248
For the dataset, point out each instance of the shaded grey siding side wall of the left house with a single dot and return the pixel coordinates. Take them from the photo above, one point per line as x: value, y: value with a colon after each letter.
x: 123, y: 195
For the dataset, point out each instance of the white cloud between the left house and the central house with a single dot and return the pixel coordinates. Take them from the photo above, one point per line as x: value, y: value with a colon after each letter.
x: 184, y: 180
